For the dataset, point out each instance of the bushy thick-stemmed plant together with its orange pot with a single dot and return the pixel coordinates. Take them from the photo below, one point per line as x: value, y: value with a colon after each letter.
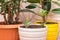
x: 9, y: 28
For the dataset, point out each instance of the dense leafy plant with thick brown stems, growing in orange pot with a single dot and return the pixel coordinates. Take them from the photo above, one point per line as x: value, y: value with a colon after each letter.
x: 9, y: 8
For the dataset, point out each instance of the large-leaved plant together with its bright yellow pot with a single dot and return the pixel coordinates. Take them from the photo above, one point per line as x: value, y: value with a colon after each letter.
x: 44, y: 11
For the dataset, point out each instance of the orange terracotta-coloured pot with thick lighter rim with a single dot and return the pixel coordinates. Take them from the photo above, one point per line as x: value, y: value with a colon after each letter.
x: 9, y: 32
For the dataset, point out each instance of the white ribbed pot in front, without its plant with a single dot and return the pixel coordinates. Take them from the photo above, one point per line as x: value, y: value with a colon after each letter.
x: 32, y: 33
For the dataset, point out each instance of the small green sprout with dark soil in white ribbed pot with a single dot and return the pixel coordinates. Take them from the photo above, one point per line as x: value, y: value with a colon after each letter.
x: 29, y: 31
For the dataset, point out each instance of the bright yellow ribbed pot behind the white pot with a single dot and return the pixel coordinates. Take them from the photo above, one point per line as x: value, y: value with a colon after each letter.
x: 52, y: 31
